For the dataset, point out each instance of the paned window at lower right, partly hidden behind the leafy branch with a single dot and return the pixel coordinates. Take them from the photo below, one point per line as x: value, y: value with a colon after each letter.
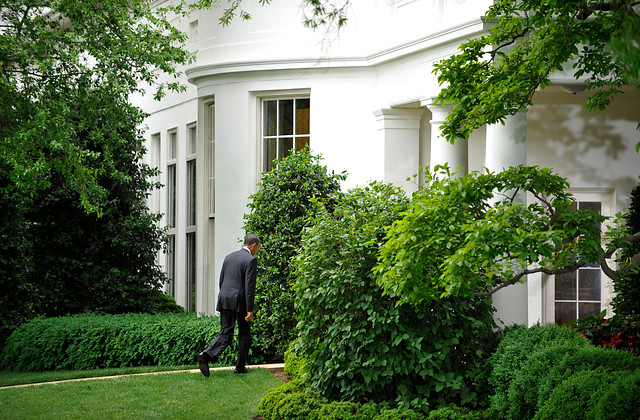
x: 578, y: 294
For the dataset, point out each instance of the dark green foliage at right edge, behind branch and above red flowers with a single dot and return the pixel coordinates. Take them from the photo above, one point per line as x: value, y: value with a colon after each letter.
x: 627, y: 298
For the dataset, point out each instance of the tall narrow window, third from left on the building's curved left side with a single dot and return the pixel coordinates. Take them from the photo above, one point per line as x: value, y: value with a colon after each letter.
x: 190, y: 278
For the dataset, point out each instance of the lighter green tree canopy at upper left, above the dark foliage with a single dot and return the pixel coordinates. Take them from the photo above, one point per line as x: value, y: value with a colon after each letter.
x: 52, y: 55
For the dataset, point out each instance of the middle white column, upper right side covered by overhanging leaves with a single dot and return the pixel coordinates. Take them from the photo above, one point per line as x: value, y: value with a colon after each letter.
x: 442, y: 151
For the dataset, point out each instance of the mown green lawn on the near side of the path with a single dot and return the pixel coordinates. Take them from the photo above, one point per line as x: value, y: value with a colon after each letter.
x: 181, y: 395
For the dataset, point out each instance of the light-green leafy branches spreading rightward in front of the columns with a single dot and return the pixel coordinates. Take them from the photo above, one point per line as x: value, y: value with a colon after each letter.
x: 470, y: 236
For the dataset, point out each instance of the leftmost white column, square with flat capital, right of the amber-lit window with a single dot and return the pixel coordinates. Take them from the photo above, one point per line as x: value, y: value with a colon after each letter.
x: 400, y: 131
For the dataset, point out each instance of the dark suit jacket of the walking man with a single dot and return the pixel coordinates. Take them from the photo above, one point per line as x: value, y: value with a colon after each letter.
x: 238, y: 282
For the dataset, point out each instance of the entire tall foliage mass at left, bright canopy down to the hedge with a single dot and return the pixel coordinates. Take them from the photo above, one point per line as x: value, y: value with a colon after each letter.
x: 76, y: 233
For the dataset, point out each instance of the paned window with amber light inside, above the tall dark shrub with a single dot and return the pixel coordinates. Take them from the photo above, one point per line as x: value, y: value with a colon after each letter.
x: 285, y: 127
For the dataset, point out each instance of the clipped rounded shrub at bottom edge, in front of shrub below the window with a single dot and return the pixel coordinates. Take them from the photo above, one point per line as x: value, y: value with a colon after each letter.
x: 574, y: 398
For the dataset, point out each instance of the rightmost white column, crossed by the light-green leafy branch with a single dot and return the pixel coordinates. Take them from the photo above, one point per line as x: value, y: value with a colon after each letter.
x: 507, y: 146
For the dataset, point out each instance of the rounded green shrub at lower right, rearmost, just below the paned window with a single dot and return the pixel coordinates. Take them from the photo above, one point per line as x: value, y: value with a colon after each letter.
x: 518, y: 344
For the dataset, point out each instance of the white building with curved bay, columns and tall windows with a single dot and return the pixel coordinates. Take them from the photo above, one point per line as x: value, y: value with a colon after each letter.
x: 362, y: 99
